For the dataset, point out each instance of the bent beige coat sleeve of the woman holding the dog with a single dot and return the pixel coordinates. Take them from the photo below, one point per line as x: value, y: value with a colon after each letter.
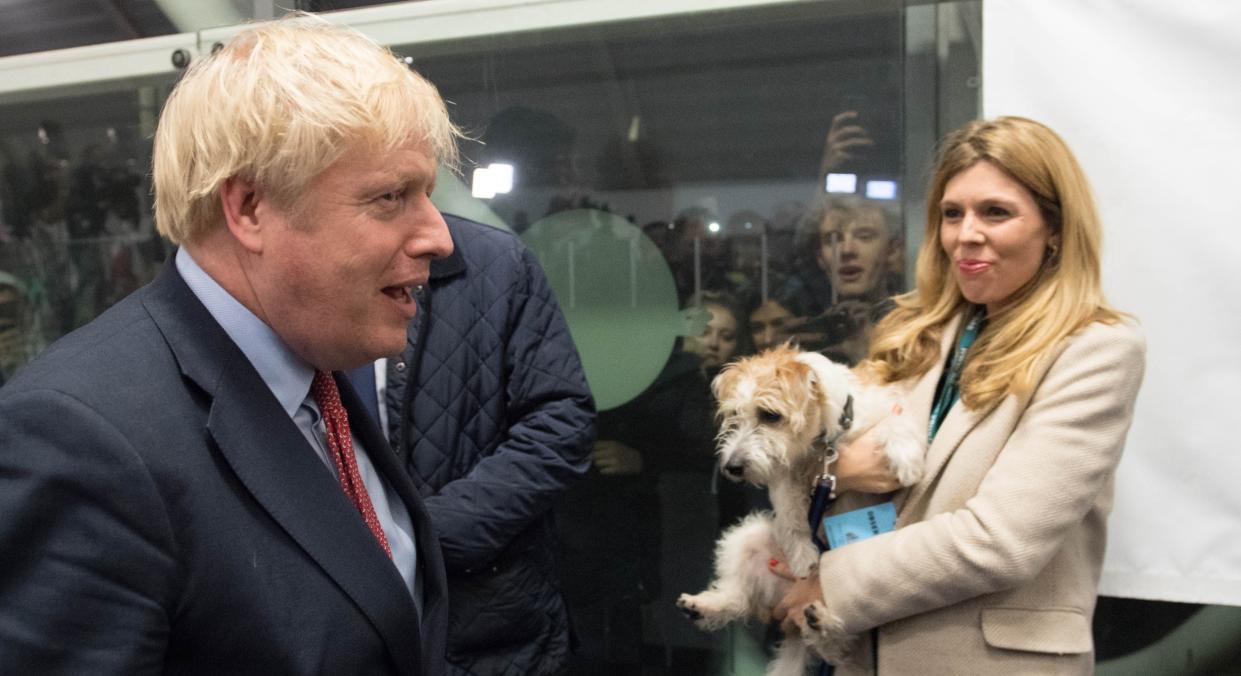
x: 1052, y: 466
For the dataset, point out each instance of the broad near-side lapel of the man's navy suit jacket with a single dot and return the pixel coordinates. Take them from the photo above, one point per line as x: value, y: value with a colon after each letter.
x: 274, y: 462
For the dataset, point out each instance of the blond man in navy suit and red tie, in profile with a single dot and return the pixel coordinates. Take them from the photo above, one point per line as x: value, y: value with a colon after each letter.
x: 189, y: 484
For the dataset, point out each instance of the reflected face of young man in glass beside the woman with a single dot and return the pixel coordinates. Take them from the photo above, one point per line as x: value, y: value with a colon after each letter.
x: 854, y: 252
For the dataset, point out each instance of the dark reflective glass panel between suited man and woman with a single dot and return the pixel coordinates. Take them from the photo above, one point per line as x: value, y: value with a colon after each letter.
x: 698, y: 187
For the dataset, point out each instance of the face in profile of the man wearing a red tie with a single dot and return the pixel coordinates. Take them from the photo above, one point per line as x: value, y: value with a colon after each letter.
x: 337, y: 270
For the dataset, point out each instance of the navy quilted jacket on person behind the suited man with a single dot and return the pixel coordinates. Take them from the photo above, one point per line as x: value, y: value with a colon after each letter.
x: 497, y: 427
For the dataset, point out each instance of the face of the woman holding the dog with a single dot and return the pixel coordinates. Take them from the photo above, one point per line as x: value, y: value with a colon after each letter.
x: 993, y: 234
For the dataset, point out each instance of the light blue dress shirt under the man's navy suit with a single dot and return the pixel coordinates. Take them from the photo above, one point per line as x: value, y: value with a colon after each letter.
x: 289, y: 378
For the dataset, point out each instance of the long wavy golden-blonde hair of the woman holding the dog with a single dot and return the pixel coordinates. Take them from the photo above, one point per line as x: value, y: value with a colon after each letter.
x: 1064, y: 297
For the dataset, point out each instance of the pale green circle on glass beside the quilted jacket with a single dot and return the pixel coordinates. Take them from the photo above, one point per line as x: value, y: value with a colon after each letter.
x: 619, y: 298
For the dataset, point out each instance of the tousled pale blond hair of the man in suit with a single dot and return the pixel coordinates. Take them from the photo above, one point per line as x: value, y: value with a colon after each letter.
x: 280, y: 105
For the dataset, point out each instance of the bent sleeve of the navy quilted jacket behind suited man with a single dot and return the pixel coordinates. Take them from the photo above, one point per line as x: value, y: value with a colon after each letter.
x: 522, y: 440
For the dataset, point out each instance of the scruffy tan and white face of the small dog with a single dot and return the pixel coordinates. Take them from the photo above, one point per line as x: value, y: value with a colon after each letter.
x: 771, y: 410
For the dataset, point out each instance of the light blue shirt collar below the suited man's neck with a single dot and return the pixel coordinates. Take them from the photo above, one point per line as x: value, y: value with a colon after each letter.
x: 285, y: 374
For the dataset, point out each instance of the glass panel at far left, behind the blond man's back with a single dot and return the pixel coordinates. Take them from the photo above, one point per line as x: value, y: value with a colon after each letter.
x: 76, y: 229
